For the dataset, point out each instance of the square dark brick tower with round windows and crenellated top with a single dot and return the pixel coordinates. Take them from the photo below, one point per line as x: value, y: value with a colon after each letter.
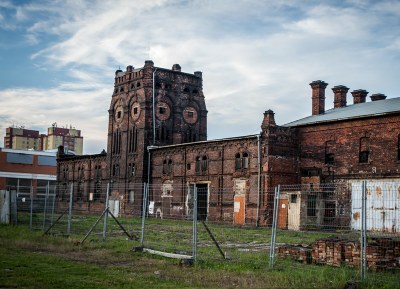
x: 138, y: 118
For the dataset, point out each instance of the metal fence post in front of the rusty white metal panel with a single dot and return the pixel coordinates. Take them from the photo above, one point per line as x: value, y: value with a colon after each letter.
x: 363, y: 265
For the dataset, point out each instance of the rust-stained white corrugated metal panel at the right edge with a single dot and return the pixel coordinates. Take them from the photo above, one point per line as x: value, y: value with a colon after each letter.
x: 383, y: 205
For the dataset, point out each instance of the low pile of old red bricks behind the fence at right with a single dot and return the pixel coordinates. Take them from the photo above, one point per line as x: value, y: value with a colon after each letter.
x: 382, y: 253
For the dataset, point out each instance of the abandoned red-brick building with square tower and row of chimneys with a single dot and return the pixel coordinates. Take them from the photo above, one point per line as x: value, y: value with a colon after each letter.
x: 157, y: 134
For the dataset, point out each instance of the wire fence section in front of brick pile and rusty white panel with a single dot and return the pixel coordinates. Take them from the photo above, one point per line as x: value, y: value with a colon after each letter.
x: 352, y: 225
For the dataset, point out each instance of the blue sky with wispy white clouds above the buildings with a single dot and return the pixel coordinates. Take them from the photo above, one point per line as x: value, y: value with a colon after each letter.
x: 58, y: 57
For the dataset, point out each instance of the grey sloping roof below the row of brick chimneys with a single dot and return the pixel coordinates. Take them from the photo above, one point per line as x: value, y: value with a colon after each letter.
x: 354, y: 111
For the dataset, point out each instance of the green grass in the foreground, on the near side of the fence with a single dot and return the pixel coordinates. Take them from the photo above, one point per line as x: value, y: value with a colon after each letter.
x: 30, y: 260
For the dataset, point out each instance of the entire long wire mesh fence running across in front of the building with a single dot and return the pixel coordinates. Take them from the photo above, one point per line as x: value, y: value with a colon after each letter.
x: 353, y: 225
